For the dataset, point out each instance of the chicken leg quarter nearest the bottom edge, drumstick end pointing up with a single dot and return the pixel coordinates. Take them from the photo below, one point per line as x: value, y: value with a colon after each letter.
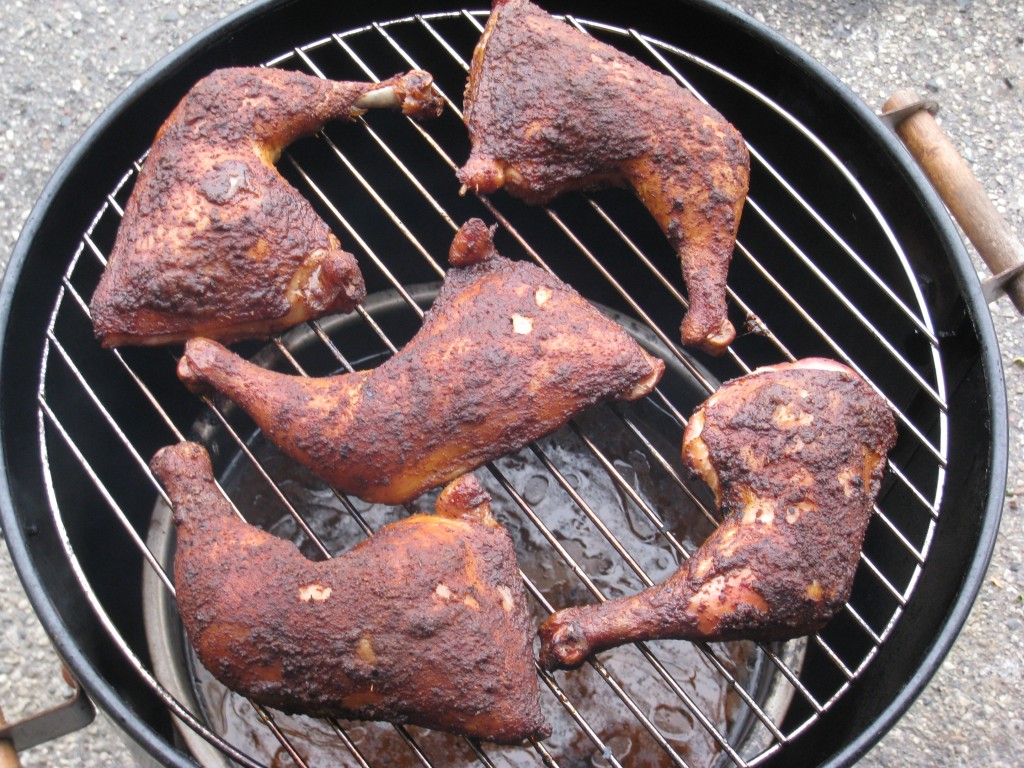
x: 425, y: 623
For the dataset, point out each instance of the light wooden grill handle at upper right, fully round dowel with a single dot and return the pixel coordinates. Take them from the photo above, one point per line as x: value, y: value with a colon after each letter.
x: 961, y: 191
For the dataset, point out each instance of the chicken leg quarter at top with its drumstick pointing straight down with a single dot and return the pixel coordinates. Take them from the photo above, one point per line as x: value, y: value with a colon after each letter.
x: 550, y: 109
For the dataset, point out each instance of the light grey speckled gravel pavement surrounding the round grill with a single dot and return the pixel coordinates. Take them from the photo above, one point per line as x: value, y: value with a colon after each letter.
x: 64, y: 61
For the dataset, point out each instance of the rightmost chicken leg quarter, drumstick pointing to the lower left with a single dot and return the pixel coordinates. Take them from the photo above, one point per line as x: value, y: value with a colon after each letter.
x: 795, y: 455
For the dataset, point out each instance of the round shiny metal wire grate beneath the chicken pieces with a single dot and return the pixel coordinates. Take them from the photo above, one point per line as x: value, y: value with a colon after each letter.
x: 802, y: 282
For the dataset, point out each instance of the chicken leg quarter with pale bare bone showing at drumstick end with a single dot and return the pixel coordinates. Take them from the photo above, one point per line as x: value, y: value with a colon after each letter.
x: 215, y: 242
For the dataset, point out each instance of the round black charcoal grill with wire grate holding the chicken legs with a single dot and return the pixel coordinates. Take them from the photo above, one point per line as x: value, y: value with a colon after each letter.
x: 843, y: 252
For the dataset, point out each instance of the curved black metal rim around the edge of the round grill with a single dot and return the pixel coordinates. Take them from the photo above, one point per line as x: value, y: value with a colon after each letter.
x: 231, y: 41
